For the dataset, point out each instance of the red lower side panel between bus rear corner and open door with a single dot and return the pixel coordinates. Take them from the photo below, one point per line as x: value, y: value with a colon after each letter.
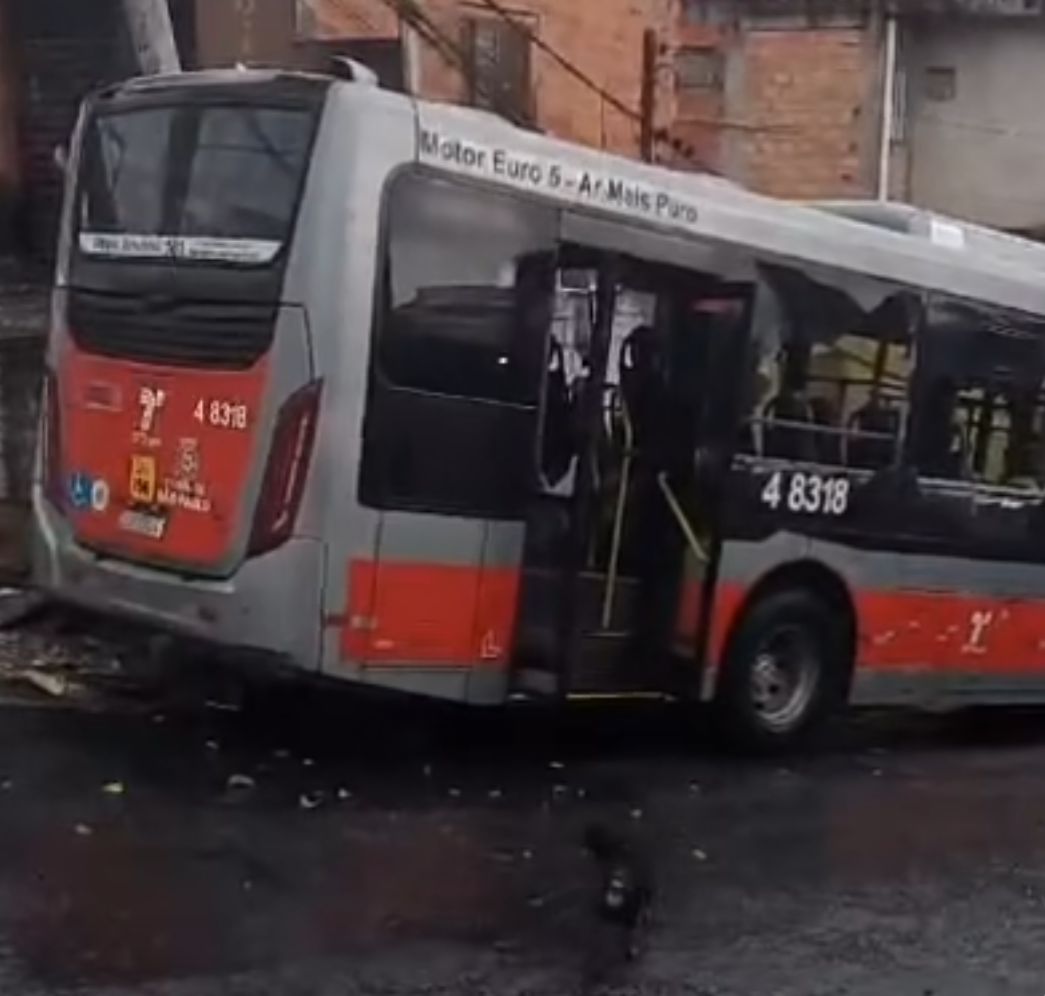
x: 424, y: 614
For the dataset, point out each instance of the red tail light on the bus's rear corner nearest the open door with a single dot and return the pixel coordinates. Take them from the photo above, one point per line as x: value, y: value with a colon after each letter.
x: 287, y: 472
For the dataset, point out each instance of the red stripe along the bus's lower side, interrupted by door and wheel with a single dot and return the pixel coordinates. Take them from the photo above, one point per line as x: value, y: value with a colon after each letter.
x: 420, y: 614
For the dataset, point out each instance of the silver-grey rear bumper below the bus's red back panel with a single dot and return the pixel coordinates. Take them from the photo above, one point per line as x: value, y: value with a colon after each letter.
x: 272, y: 605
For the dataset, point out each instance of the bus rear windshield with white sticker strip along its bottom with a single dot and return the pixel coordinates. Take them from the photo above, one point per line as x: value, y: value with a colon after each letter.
x: 195, y: 182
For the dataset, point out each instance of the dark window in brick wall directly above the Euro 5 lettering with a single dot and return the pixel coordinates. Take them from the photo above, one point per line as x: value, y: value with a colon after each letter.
x: 500, y: 67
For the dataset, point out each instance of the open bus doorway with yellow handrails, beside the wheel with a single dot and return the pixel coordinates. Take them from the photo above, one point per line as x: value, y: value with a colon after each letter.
x: 638, y: 427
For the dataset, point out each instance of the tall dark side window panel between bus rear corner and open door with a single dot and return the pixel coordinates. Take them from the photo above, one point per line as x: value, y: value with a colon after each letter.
x: 460, y: 351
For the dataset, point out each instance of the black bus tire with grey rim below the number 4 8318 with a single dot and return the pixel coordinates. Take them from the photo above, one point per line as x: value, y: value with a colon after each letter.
x: 785, y: 674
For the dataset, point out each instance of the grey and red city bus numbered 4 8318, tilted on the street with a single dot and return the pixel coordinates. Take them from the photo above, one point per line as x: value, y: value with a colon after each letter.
x: 394, y: 393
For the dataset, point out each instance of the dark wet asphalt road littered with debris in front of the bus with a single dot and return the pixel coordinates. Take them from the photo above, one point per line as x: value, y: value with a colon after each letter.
x: 394, y: 851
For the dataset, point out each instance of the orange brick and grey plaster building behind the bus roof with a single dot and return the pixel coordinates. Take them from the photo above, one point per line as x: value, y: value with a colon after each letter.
x: 786, y: 97
